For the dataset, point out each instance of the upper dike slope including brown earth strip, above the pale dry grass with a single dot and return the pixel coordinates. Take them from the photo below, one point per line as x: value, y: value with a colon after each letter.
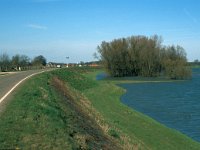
x: 46, y: 115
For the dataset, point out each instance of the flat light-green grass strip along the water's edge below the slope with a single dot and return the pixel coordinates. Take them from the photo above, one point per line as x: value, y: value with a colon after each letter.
x: 141, y: 129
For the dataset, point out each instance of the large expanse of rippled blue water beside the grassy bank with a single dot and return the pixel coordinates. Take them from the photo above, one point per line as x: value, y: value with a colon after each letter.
x: 175, y: 104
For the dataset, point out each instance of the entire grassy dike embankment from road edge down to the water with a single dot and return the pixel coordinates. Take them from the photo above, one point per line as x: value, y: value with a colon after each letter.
x: 69, y: 109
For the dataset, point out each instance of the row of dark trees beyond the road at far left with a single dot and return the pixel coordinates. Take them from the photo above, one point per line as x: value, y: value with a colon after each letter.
x: 20, y: 62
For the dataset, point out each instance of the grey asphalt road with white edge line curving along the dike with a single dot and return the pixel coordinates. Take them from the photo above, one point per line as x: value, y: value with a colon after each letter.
x: 9, y: 80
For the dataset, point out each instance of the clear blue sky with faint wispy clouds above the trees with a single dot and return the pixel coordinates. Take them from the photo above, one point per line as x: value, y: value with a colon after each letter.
x: 58, y: 29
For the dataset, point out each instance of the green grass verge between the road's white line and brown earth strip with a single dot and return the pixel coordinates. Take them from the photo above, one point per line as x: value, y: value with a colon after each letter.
x: 34, y: 119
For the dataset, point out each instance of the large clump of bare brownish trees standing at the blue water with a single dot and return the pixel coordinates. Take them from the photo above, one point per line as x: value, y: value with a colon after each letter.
x: 143, y: 56
